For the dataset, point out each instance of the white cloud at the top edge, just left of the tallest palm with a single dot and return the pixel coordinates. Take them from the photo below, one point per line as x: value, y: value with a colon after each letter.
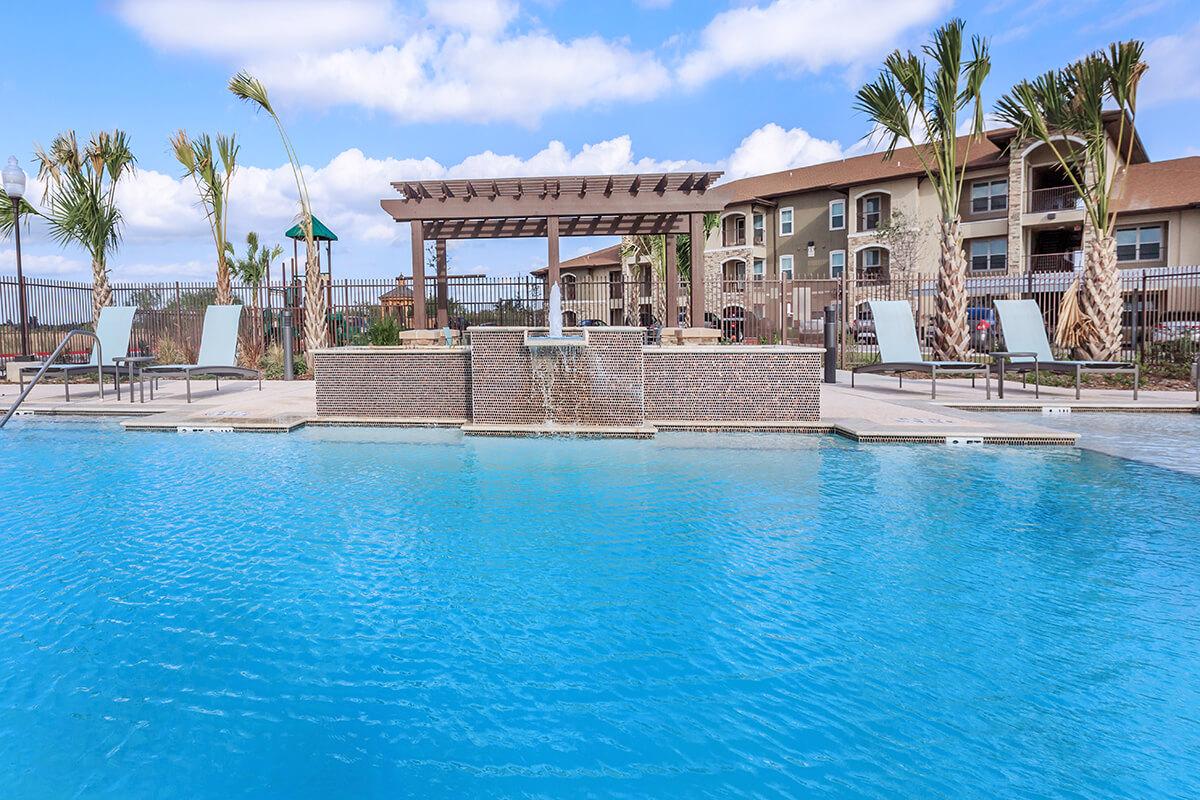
x: 803, y: 37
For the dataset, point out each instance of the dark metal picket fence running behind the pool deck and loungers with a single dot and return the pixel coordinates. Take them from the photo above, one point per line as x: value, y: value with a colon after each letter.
x: 1161, y: 324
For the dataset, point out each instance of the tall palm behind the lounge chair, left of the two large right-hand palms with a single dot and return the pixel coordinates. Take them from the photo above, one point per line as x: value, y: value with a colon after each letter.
x: 909, y: 104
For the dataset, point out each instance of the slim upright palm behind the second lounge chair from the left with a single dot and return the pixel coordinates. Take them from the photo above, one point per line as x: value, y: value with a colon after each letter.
x: 213, y: 187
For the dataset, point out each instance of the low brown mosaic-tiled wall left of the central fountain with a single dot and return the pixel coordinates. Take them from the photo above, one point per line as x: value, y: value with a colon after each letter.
x: 403, y: 383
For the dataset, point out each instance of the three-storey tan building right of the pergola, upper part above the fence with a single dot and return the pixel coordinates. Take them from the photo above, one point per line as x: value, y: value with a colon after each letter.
x: 1021, y: 214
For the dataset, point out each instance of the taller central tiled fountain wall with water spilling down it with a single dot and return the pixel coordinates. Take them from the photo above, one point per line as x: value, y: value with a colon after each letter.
x: 599, y: 384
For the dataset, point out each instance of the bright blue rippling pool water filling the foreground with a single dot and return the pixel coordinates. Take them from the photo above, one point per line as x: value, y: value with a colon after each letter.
x: 381, y: 615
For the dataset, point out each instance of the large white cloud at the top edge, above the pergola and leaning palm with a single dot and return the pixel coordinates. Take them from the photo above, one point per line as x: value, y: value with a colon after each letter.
x: 461, y: 62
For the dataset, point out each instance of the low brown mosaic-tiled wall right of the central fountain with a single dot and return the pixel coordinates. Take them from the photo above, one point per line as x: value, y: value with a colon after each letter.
x: 733, y: 384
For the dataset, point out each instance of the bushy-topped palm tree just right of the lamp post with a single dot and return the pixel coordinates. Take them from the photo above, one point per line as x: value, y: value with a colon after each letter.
x: 81, y: 200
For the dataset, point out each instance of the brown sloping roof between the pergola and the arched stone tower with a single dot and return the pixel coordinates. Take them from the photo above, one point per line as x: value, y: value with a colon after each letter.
x: 849, y: 172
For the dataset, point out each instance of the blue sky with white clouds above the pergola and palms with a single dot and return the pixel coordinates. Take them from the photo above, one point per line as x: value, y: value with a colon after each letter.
x: 379, y: 91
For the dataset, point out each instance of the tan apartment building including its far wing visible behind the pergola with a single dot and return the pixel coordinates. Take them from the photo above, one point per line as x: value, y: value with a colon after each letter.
x: 874, y: 220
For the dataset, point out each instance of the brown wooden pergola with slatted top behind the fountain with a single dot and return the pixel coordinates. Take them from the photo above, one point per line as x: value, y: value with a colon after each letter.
x: 566, y: 206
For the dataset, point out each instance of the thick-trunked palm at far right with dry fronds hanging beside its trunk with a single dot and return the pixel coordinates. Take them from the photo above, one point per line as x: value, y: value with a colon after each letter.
x: 1065, y: 111
